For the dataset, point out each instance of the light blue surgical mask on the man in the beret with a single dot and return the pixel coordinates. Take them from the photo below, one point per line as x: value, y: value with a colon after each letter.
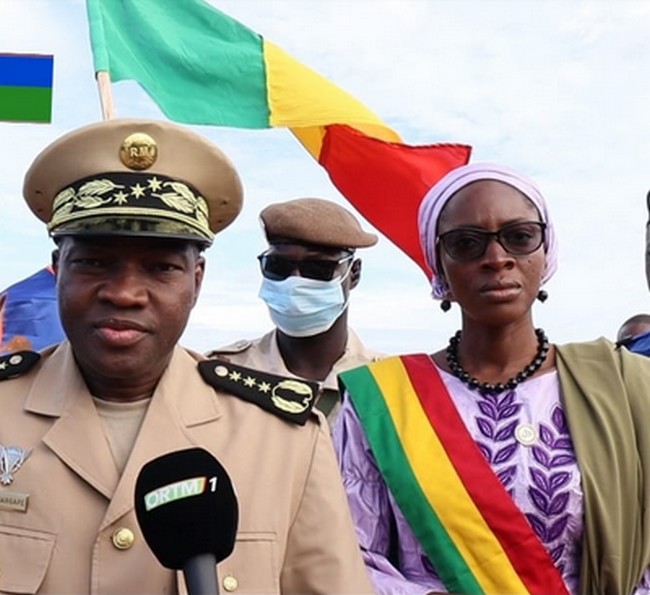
x: 302, y: 307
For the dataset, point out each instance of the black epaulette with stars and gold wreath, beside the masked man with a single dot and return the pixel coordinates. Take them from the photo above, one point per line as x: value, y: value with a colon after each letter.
x: 289, y: 398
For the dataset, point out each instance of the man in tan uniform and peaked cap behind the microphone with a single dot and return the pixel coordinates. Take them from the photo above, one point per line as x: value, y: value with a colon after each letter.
x: 131, y: 206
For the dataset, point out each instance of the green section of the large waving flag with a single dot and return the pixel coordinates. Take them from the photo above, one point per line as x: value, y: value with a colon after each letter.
x: 185, y: 55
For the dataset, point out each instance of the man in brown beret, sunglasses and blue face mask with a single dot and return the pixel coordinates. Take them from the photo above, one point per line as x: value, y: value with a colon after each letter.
x: 308, y: 272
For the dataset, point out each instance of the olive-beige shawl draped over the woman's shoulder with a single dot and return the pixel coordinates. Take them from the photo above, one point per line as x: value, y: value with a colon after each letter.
x: 606, y: 395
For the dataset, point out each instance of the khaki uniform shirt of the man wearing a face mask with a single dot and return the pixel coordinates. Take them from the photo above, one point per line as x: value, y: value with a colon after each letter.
x: 263, y: 354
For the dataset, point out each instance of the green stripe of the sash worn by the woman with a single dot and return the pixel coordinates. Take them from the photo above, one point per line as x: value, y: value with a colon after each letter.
x: 384, y: 441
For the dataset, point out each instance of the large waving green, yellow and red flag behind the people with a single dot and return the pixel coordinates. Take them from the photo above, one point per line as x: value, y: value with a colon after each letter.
x: 202, y: 67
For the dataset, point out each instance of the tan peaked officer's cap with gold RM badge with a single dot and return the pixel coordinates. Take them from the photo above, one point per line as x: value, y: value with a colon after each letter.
x: 134, y: 177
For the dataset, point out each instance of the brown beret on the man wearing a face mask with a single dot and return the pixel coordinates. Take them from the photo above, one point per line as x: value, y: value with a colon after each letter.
x: 314, y: 221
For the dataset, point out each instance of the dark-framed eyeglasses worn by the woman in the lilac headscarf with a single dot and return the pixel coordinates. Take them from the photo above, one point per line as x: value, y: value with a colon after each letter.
x: 517, y: 239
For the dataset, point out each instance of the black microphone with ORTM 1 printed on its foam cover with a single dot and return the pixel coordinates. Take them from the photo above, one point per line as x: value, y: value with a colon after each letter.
x: 188, y: 513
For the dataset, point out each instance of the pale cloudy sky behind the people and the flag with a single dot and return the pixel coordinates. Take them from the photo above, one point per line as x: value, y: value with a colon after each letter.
x: 558, y: 90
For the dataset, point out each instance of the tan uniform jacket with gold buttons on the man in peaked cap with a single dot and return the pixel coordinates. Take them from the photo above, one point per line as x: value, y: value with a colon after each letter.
x: 295, y: 534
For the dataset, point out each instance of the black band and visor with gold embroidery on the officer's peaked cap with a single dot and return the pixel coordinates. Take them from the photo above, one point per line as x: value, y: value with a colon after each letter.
x: 131, y: 204
